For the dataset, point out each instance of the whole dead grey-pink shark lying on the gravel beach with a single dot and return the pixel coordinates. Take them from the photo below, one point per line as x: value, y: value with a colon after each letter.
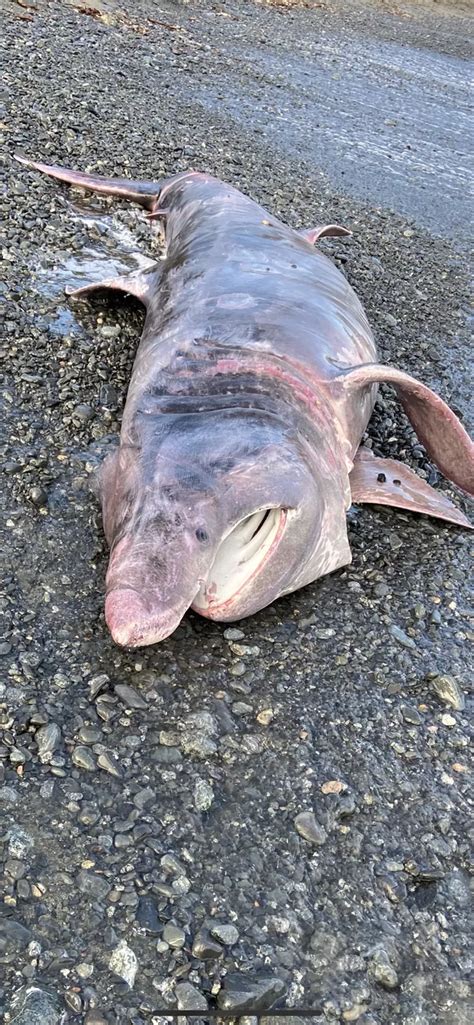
x: 253, y: 386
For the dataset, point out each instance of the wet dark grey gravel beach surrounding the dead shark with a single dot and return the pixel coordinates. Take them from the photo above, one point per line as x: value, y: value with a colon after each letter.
x: 276, y: 811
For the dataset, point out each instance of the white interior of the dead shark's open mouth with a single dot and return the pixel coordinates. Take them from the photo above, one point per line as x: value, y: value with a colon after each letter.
x: 240, y: 558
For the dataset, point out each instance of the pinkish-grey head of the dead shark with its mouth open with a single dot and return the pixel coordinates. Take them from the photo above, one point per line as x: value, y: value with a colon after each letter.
x: 223, y: 515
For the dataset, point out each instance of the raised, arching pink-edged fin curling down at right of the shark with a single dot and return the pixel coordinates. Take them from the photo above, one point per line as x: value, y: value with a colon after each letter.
x: 438, y: 427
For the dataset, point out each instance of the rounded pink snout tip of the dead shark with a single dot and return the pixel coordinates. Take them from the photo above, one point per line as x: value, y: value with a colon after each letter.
x: 133, y: 625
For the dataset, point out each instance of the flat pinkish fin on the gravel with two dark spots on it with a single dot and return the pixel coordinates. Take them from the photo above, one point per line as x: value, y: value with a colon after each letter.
x: 387, y: 482
